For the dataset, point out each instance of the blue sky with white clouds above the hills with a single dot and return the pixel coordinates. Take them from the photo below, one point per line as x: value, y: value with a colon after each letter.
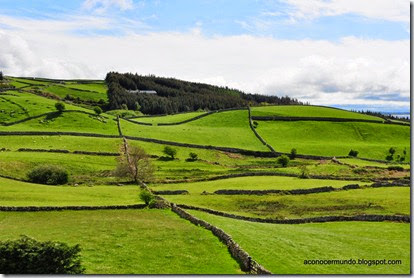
x: 353, y: 54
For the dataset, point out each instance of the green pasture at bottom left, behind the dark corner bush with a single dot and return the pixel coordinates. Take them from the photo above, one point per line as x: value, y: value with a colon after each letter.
x: 127, y: 241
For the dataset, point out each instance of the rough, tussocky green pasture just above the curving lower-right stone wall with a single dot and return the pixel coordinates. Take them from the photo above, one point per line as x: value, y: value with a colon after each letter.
x: 352, y: 202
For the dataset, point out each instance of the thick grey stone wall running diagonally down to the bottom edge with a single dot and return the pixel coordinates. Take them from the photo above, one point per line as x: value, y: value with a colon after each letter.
x: 242, y: 257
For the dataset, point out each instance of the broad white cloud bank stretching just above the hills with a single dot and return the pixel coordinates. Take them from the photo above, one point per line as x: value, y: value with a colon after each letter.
x: 351, y: 71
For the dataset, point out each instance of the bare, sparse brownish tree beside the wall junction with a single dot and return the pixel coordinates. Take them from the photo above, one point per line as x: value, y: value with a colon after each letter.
x: 135, y: 164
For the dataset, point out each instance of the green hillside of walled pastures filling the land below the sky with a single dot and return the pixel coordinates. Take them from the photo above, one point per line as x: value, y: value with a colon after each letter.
x: 227, y: 171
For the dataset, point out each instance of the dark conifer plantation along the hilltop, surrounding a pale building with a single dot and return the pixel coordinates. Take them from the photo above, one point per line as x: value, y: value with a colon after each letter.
x: 174, y: 96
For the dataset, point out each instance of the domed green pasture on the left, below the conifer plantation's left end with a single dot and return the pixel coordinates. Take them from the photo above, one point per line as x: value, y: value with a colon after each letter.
x: 68, y: 121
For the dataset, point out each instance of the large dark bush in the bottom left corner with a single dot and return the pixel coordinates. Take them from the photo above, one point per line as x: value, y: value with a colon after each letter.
x: 28, y: 256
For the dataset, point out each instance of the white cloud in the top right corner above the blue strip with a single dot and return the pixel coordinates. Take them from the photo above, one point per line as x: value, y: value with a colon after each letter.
x: 392, y: 10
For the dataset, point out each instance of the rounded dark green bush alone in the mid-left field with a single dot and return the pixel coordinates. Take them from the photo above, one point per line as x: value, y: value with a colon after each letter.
x: 48, y: 174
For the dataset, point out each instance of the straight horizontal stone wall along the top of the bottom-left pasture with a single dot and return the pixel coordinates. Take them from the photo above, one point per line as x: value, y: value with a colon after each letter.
x: 60, y: 208
